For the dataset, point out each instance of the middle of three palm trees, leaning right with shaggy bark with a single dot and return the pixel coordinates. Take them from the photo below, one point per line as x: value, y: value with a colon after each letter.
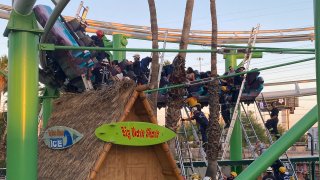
x: 178, y: 76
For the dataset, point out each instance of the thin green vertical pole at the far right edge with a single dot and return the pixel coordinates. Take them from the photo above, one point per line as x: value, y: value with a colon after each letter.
x: 316, y: 6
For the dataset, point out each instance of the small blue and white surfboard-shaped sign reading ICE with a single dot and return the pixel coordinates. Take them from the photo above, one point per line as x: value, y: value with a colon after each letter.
x: 61, y: 137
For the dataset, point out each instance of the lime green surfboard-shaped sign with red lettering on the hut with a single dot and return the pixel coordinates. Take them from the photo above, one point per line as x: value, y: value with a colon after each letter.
x: 134, y: 133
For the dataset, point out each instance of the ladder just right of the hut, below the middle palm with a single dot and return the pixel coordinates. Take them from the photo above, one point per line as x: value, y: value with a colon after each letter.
x: 183, y: 150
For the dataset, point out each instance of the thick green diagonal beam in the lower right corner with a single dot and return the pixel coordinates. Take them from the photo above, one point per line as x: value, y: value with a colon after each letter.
x: 280, y: 146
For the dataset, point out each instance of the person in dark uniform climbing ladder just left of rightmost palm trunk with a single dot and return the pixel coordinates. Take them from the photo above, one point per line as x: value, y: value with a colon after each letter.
x: 202, y: 121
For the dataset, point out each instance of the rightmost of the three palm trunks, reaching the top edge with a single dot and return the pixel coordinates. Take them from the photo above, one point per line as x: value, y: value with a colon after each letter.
x: 214, y: 127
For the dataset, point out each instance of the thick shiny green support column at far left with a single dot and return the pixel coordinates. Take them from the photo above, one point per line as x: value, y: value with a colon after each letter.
x: 22, y: 137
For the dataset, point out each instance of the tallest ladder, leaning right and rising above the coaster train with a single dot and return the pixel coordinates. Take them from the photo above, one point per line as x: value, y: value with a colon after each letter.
x: 226, y: 134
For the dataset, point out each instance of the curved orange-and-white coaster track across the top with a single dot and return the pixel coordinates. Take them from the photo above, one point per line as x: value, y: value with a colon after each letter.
x: 198, y: 37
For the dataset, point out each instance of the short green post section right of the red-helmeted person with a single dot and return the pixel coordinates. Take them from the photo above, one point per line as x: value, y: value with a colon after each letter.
x: 119, y: 41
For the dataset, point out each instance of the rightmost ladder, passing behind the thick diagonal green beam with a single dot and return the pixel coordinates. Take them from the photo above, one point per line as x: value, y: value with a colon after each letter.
x: 287, y: 162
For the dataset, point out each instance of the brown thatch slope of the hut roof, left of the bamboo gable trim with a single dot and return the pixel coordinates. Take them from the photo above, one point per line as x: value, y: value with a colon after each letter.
x: 84, y: 113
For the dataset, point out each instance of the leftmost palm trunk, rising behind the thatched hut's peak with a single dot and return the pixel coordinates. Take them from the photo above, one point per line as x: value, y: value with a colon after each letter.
x: 155, y: 56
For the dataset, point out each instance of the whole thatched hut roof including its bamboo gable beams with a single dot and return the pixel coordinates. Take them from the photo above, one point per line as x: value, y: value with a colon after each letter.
x: 84, y: 113
